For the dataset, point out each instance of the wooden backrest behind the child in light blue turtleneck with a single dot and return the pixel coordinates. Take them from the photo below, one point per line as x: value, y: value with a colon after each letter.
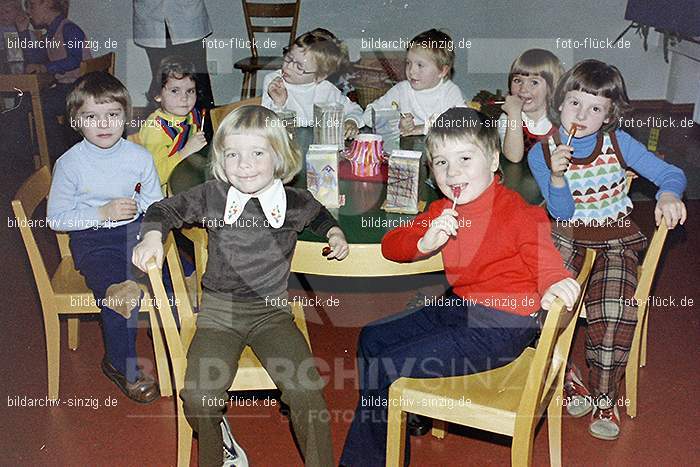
x: 32, y: 192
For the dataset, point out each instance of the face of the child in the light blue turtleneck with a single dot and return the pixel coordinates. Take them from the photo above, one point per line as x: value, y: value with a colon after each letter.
x: 102, y: 124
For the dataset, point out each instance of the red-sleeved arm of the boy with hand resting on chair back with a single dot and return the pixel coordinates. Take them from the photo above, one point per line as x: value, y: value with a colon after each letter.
x: 542, y: 258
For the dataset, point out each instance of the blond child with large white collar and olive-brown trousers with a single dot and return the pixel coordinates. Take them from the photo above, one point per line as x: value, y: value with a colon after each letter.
x: 253, y: 221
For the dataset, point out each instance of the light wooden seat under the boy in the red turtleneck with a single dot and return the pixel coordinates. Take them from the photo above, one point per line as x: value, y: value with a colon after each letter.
x: 487, y: 400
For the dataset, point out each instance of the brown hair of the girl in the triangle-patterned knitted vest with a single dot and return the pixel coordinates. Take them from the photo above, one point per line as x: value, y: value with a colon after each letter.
x: 597, y: 78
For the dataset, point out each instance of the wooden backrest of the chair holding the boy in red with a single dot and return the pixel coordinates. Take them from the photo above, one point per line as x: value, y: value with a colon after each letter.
x: 549, y: 362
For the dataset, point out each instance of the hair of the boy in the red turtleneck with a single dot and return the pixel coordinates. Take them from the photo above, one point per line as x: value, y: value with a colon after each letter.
x: 463, y: 124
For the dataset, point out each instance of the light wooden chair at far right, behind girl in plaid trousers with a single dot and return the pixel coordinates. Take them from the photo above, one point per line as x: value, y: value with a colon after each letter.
x: 638, y: 352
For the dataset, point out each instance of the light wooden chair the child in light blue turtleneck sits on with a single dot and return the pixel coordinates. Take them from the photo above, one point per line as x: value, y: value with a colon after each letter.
x: 65, y: 293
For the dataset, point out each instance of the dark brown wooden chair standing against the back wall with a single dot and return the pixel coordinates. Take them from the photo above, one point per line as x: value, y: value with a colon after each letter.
x: 257, y: 19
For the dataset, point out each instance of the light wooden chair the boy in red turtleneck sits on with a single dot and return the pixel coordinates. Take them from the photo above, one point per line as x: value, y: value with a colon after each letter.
x: 508, y: 400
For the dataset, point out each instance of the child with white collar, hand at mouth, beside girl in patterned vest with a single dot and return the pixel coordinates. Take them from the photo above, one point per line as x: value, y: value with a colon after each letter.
x: 532, y: 79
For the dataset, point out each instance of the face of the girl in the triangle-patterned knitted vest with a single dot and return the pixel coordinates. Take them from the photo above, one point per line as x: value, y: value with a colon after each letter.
x: 587, y: 111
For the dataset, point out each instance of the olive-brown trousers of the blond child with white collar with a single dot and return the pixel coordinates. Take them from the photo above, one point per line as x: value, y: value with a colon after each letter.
x: 224, y: 328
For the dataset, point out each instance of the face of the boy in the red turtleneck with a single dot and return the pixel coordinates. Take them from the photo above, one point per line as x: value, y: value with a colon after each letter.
x: 463, y: 164
